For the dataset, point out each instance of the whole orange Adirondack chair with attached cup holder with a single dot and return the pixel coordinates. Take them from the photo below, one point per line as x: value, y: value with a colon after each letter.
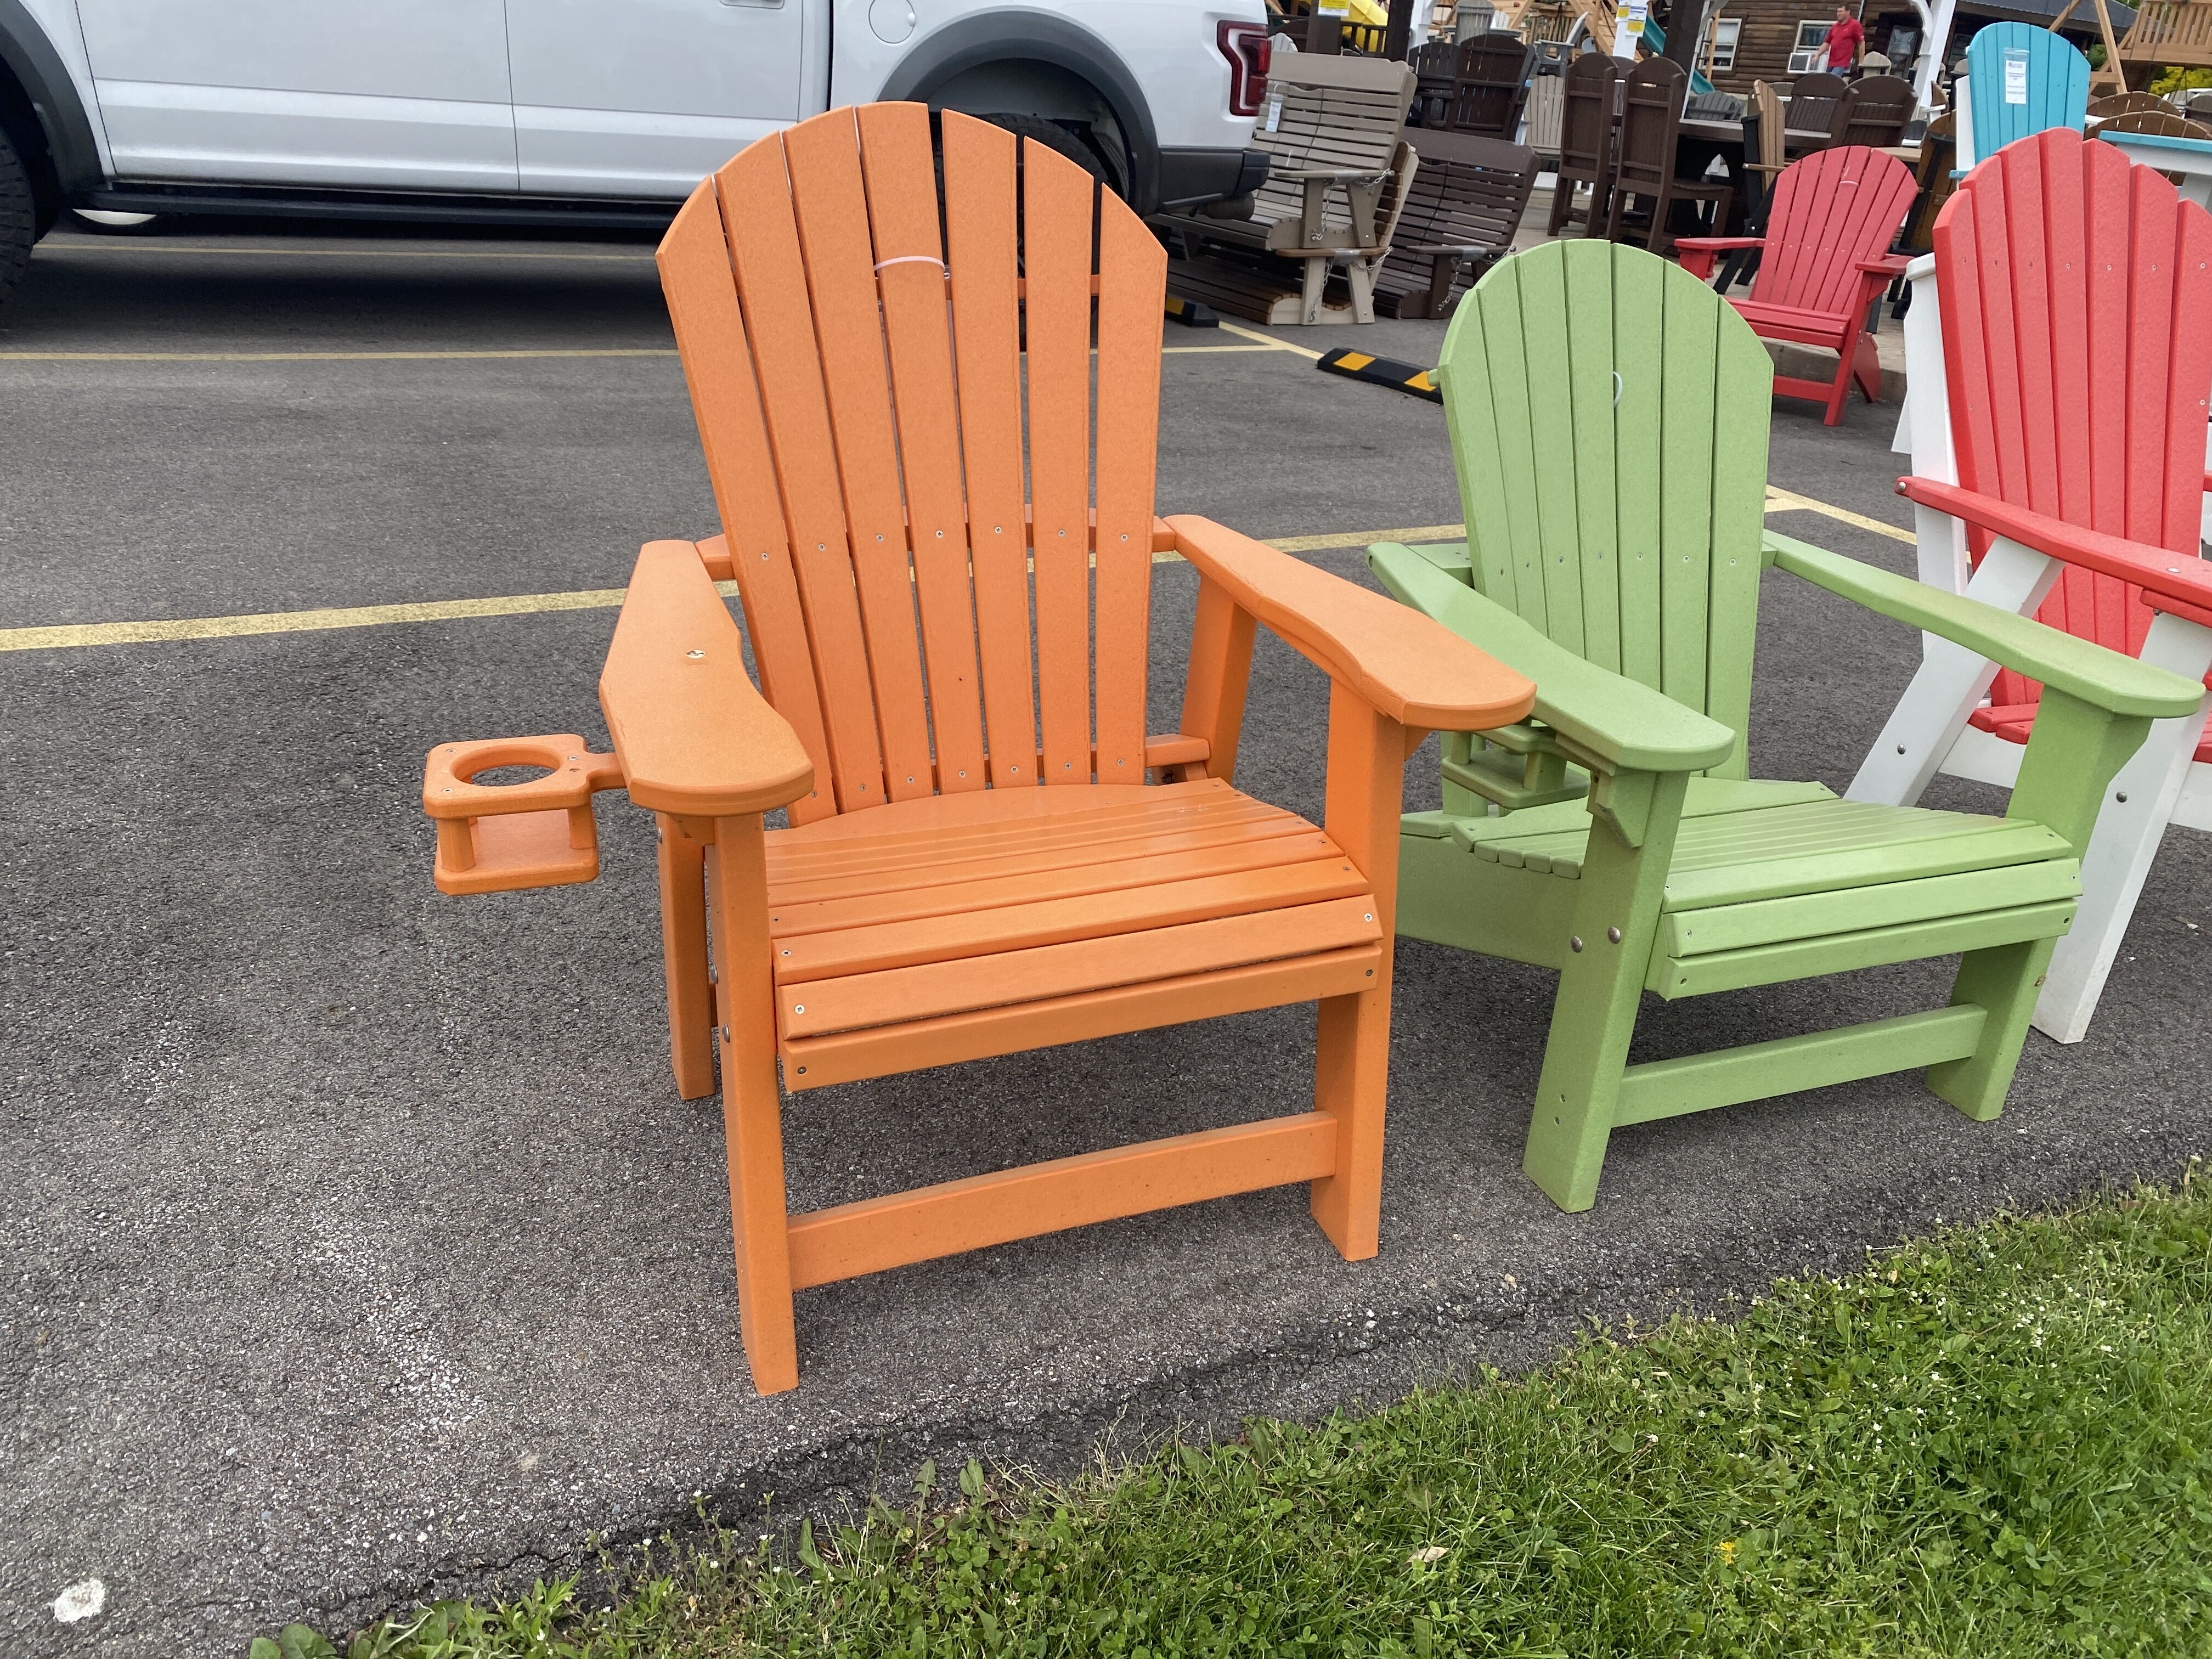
x: 974, y: 864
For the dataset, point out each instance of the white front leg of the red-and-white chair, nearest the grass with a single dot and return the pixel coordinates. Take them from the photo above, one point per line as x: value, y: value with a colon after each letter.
x: 2127, y: 839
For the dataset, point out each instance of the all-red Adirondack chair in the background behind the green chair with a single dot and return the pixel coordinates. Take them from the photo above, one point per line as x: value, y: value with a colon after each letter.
x: 1824, y: 262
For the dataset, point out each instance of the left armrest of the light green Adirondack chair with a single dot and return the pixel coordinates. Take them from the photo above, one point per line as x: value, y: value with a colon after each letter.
x: 1618, y: 722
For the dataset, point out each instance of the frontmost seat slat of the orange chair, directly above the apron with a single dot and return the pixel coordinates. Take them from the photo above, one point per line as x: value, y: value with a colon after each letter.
x: 1043, y: 972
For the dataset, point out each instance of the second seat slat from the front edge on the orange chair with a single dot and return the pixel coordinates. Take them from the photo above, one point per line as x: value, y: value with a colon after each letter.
x: 1008, y: 926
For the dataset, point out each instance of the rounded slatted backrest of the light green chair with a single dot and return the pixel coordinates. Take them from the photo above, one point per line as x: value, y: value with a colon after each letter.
x: 1614, y: 474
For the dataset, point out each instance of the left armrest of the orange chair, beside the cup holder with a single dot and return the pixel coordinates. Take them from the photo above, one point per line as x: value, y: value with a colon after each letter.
x: 693, y: 733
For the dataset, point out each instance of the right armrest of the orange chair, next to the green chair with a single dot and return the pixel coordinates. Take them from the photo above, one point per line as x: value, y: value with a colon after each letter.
x: 1406, y: 665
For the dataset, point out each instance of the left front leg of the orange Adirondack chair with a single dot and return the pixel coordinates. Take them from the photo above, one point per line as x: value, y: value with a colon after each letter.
x: 751, y: 1103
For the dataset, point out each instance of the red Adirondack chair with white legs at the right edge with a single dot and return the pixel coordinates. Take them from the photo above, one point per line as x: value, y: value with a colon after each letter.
x: 2058, y: 430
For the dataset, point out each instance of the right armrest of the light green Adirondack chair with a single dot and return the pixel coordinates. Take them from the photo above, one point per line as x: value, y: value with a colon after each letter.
x: 2023, y: 645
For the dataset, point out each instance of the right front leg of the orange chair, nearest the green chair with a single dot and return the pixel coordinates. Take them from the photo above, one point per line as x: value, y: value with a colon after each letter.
x: 1353, y: 1041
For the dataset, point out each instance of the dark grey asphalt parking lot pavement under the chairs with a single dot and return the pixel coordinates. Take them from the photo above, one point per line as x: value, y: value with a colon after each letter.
x: 357, y: 1246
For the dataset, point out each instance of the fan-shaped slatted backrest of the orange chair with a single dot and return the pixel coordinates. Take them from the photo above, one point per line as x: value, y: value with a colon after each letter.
x: 873, y: 397
